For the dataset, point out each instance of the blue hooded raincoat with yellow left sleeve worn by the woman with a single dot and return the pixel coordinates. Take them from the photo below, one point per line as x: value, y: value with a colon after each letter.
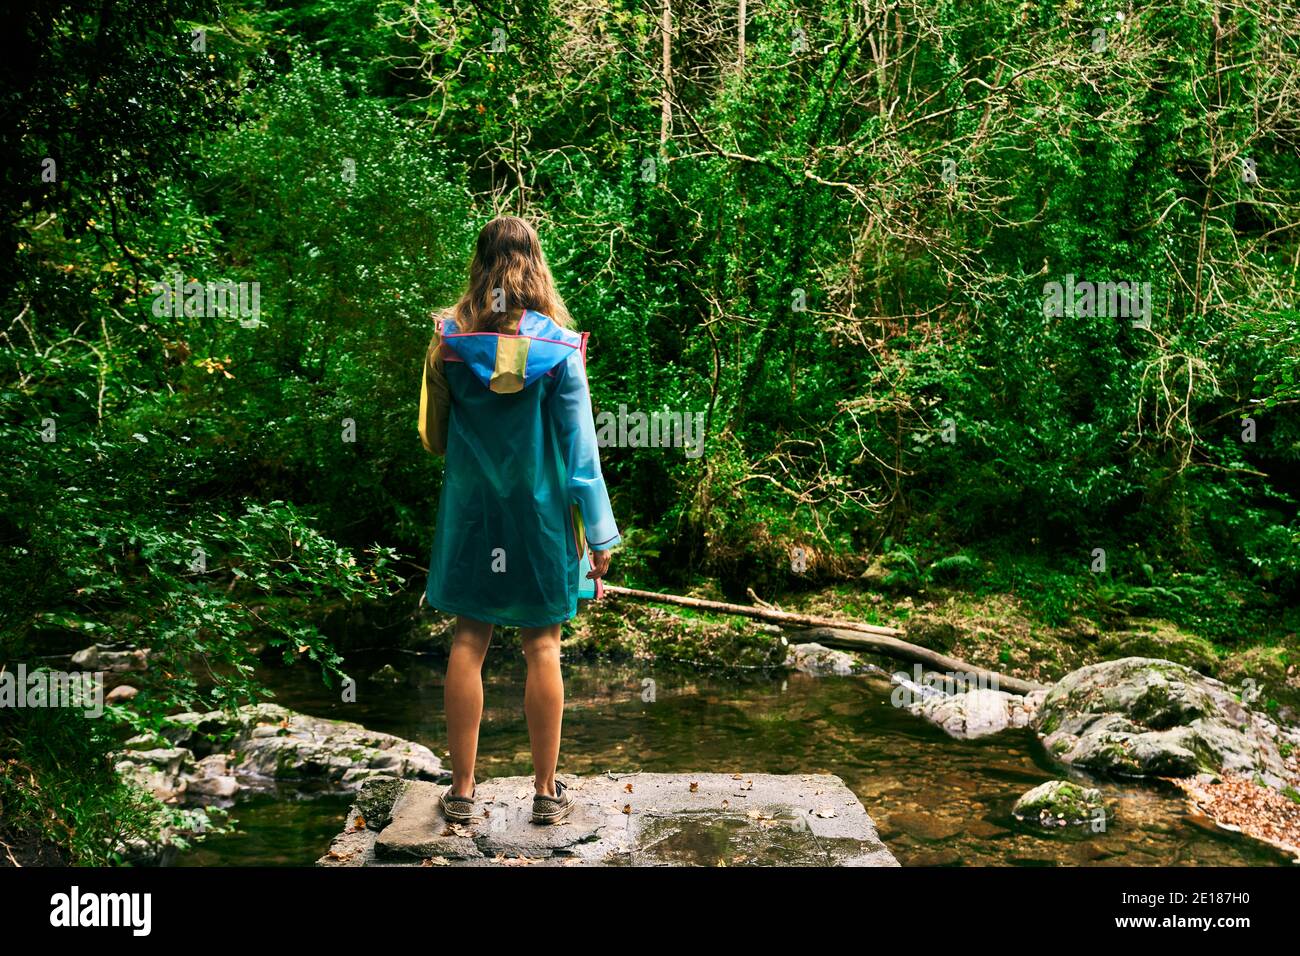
x: 523, y: 498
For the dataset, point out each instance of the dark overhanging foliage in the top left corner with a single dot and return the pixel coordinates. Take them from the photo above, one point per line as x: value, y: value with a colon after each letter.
x: 106, y: 101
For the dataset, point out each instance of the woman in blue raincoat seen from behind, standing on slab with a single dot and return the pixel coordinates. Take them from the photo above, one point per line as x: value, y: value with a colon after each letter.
x: 505, y: 399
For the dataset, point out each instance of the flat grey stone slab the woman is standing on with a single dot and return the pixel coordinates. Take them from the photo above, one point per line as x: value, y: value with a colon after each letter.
x: 638, y: 820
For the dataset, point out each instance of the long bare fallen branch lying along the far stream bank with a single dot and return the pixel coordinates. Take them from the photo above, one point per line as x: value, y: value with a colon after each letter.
x: 840, y: 634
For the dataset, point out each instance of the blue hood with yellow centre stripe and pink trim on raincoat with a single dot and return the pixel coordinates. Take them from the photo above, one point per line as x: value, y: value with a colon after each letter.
x: 508, y: 364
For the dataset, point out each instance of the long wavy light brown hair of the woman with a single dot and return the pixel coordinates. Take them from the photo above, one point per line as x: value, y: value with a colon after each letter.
x: 508, y: 274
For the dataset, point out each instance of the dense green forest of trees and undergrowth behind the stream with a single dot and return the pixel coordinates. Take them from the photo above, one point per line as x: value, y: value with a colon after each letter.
x: 980, y: 321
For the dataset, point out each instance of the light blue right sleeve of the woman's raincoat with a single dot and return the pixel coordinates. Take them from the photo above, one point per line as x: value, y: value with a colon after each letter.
x: 571, y: 408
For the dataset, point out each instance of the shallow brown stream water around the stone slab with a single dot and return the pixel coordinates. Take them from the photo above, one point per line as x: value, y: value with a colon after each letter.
x: 935, y: 801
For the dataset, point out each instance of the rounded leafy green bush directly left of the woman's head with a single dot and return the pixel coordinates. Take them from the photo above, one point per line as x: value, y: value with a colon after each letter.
x: 356, y: 233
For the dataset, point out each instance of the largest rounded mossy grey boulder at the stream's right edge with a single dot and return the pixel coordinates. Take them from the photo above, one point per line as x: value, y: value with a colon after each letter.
x: 1145, y: 717
